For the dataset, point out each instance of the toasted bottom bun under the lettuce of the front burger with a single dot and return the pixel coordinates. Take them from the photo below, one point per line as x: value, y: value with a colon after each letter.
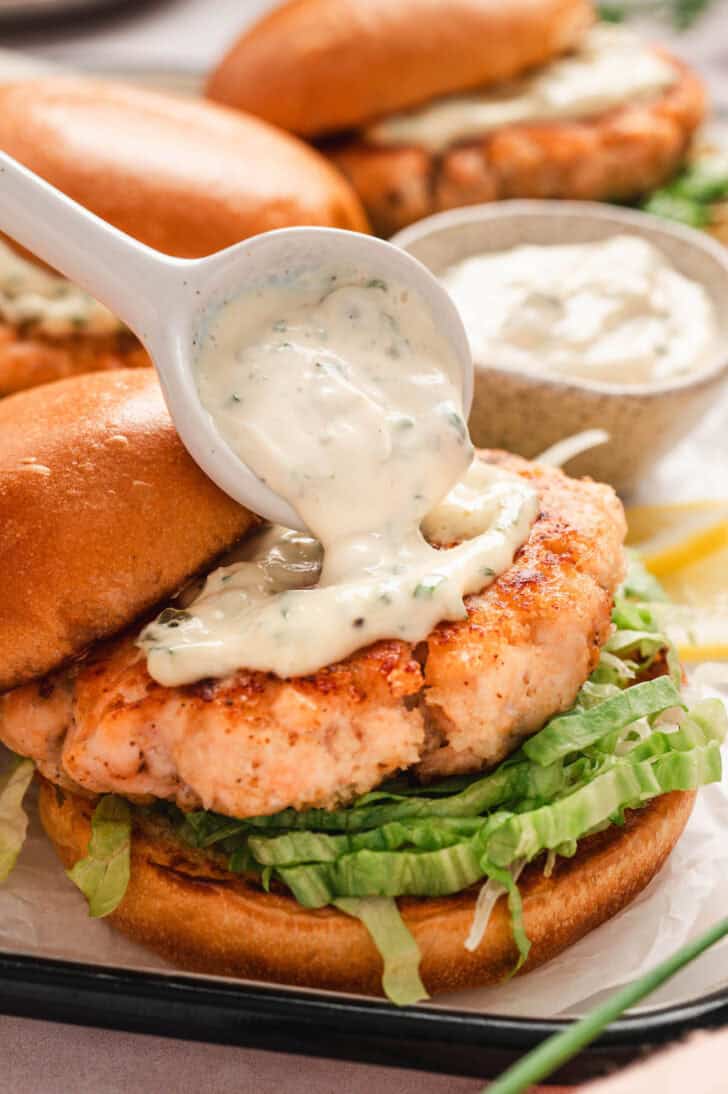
x: 202, y: 918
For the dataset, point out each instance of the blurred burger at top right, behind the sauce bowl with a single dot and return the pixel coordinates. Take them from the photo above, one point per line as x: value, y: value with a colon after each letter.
x: 429, y: 107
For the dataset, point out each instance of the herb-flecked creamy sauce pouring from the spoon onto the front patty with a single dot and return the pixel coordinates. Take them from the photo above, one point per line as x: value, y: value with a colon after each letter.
x: 341, y: 394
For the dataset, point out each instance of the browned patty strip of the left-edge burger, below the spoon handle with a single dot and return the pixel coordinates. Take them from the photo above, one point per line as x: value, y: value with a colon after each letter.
x: 30, y: 358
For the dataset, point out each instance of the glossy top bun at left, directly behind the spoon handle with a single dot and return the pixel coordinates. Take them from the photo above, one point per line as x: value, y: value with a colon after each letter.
x: 183, y: 177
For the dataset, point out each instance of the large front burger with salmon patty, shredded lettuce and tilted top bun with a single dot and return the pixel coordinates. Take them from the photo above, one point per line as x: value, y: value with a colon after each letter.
x: 419, y: 816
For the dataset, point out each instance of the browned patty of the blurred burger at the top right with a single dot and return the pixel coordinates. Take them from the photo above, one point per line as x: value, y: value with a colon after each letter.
x: 618, y: 156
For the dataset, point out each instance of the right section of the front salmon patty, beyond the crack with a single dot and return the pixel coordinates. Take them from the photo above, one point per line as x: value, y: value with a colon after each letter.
x: 533, y: 637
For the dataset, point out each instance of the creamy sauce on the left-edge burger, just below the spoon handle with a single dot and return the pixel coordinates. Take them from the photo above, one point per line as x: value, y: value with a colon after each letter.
x: 48, y: 302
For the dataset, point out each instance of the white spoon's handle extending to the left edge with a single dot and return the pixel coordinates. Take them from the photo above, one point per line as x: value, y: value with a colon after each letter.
x: 122, y: 273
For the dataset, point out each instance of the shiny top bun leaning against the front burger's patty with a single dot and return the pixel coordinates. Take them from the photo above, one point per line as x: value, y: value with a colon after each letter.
x: 96, y: 460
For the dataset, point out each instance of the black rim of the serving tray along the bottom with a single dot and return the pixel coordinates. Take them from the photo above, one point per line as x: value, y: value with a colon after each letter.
x: 287, y: 1020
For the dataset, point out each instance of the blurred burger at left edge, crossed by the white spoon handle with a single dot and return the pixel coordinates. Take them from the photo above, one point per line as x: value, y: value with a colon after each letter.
x: 183, y: 177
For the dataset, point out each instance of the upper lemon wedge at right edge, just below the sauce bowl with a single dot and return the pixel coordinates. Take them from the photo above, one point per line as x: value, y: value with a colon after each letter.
x: 671, y: 538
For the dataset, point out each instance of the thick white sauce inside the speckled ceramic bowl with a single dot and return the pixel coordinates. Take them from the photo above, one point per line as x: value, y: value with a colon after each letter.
x: 615, y: 312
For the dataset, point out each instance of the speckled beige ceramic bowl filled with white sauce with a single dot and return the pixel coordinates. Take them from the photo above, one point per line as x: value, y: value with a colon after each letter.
x: 583, y: 316
